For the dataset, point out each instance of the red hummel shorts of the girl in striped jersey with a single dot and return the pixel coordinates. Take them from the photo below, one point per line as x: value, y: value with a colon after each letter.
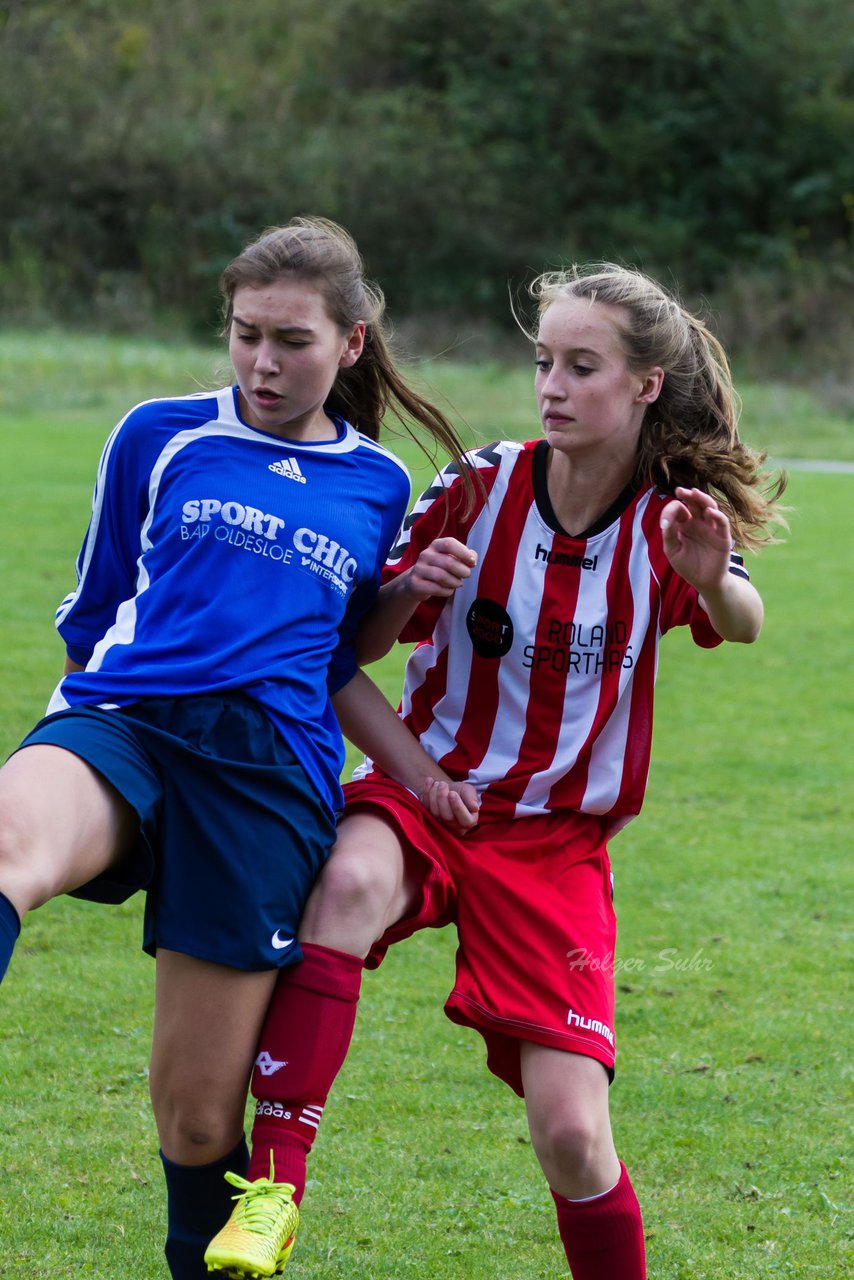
x: 532, y: 903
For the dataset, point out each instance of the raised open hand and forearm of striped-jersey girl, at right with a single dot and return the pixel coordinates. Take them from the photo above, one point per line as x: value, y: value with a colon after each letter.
x: 698, y: 542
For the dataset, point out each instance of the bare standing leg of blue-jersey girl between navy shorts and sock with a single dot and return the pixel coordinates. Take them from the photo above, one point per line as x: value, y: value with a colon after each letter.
x: 208, y: 1020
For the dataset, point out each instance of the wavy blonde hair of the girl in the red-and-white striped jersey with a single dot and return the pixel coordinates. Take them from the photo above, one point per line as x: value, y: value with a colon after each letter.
x: 691, y: 435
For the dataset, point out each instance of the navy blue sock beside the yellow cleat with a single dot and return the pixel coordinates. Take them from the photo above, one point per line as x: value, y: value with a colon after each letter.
x: 199, y: 1203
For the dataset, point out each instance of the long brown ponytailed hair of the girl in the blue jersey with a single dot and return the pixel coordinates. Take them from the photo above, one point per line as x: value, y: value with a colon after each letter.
x: 323, y: 254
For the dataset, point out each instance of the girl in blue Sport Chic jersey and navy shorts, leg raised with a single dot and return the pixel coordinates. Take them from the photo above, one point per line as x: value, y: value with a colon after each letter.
x: 191, y: 749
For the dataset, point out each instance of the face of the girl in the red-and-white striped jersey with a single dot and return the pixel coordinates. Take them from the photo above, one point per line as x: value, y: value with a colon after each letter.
x: 591, y: 405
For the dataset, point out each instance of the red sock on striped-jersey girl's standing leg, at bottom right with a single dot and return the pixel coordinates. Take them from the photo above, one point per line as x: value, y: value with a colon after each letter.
x: 604, y: 1238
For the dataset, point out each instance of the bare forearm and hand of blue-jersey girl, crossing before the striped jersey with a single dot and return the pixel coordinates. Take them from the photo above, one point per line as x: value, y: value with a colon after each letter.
x: 368, y: 720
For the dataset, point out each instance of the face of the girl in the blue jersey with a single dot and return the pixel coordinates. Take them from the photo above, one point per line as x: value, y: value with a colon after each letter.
x: 287, y: 351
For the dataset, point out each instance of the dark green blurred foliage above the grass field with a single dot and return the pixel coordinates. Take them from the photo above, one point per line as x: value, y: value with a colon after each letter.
x: 465, y: 144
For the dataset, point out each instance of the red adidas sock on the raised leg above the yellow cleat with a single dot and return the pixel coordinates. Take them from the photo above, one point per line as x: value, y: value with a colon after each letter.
x: 303, y: 1048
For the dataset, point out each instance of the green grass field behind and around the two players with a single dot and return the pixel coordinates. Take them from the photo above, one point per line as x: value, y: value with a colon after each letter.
x: 734, y: 1086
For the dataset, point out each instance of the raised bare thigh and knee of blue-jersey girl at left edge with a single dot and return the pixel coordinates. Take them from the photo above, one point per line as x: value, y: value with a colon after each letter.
x: 62, y: 824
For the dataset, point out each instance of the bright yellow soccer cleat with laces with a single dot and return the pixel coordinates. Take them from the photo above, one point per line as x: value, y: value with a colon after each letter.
x: 261, y: 1235
